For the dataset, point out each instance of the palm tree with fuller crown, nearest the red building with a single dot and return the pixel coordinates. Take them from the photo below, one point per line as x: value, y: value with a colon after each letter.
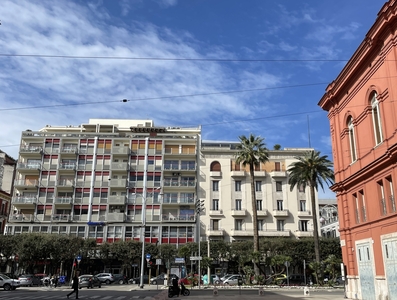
x: 312, y: 170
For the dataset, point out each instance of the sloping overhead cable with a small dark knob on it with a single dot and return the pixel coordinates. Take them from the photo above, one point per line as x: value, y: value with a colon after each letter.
x: 164, y: 97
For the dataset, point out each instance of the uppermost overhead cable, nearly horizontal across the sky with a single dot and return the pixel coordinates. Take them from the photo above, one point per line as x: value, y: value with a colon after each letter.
x: 170, y: 58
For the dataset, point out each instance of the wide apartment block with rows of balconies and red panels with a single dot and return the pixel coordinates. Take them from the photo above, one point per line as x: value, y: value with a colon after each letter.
x: 92, y: 180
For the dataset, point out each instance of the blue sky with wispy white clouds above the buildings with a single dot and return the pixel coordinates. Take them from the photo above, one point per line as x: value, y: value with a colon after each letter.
x: 232, y: 66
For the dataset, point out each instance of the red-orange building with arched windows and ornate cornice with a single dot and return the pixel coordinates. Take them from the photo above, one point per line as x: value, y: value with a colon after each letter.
x: 362, y: 108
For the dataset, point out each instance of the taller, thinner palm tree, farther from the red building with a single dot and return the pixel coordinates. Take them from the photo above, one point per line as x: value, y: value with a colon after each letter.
x: 252, y: 151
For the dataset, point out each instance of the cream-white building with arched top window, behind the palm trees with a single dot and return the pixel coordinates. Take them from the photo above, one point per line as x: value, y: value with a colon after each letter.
x: 226, y: 189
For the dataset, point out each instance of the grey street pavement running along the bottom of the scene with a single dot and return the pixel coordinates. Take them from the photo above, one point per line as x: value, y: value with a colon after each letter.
x: 132, y: 292
